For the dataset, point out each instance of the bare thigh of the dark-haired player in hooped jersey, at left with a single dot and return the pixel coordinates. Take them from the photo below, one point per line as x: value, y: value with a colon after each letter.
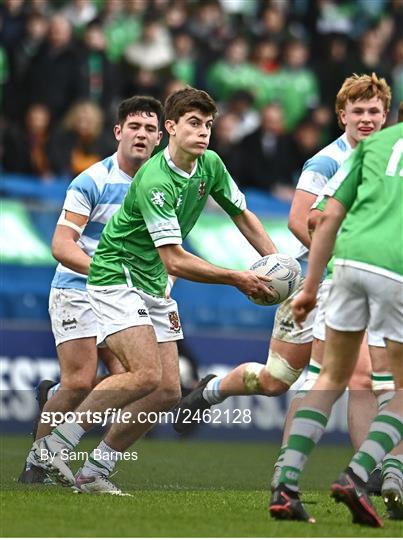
x: 78, y: 360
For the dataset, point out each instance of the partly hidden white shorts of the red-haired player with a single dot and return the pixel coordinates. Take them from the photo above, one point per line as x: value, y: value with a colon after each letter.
x: 285, y: 328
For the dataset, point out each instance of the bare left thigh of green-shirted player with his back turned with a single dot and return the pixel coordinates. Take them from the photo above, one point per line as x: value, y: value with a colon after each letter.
x: 340, y: 355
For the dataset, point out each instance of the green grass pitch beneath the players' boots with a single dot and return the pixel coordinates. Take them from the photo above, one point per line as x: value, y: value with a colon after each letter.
x: 180, y: 488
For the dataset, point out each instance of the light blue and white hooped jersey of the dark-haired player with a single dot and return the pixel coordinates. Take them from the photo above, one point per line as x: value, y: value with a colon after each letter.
x: 98, y: 193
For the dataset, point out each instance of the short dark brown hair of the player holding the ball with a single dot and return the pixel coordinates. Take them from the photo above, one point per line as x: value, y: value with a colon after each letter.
x: 188, y: 99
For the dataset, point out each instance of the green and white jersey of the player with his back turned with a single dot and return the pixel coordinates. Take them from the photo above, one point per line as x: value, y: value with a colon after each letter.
x: 370, y: 187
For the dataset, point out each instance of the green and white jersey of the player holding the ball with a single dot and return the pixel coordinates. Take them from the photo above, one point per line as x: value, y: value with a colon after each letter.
x: 161, y: 207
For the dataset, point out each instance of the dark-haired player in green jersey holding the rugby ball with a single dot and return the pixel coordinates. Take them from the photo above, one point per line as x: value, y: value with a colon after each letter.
x: 128, y: 277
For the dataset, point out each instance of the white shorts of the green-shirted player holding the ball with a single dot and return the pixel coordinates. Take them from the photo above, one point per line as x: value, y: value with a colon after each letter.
x: 121, y: 307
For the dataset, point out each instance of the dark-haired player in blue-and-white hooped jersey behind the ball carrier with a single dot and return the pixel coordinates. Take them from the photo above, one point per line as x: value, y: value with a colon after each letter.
x: 91, y: 200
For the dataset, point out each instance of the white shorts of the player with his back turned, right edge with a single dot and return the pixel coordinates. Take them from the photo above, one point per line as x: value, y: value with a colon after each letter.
x: 360, y: 298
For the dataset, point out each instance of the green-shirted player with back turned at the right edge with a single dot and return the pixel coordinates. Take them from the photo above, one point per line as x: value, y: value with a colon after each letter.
x: 365, y: 199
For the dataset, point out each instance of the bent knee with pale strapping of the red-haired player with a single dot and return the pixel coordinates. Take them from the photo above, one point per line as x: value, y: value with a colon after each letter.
x: 279, y: 374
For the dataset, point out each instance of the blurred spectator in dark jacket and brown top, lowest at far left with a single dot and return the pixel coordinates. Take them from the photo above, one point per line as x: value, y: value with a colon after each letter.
x: 26, y: 148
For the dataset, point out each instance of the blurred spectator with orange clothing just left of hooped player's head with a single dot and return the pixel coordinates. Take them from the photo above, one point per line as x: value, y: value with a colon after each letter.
x: 80, y: 141
